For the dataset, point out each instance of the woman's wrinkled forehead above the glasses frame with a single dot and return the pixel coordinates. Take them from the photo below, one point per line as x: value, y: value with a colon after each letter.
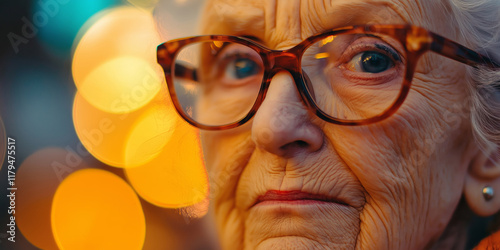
x: 291, y: 21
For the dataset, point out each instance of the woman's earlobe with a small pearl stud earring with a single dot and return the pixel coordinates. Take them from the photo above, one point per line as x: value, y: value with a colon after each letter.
x: 484, y: 171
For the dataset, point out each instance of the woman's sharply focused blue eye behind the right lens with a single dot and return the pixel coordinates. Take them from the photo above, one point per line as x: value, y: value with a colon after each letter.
x: 370, y: 62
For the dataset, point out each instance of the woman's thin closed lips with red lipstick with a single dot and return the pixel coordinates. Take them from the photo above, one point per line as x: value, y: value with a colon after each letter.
x: 295, y: 197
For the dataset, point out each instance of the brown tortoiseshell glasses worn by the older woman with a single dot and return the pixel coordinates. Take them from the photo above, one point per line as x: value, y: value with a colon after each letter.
x: 348, y: 76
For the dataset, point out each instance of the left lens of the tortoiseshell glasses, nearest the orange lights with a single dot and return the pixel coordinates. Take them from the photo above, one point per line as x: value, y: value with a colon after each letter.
x: 216, y: 82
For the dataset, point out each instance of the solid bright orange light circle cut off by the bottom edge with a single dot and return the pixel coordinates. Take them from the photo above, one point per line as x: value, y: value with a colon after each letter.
x: 95, y: 209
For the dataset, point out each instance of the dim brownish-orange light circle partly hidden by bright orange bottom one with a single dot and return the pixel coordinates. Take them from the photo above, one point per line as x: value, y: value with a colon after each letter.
x: 37, y: 179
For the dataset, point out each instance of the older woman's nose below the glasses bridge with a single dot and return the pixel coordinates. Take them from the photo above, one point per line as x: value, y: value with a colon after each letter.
x: 283, y: 125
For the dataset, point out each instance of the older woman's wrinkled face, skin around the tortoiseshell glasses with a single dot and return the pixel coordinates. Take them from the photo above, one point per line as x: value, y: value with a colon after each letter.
x: 288, y: 179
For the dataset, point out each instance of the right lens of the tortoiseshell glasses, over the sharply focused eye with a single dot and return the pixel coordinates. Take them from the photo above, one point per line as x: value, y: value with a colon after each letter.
x: 355, y: 76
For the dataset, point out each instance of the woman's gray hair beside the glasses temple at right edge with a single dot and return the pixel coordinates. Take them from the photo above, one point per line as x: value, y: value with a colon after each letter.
x: 479, y: 28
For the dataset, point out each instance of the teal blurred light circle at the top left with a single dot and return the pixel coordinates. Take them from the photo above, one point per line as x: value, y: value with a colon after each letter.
x: 58, y: 21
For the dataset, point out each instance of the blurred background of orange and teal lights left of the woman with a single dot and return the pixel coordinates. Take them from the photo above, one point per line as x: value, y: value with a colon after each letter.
x: 101, y: 159
